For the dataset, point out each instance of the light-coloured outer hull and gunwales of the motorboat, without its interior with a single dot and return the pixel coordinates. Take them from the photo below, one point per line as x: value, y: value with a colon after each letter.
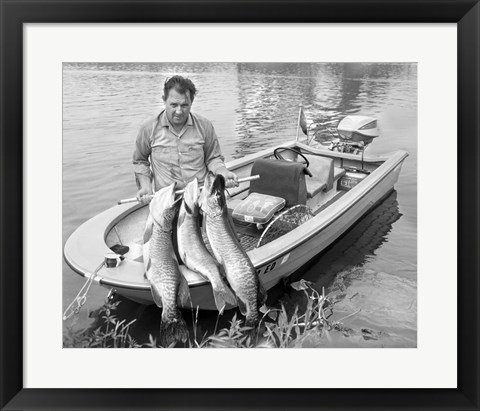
x: 274, y: 261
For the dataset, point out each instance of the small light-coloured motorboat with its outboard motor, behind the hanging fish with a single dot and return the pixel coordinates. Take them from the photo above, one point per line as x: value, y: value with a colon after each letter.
x: 308, y: 194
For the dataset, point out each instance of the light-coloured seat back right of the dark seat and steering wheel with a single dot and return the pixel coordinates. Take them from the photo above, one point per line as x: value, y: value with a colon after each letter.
x: 324, y: 174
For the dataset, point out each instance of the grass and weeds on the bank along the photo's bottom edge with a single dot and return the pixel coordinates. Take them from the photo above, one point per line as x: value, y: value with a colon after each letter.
x: 277, y: 329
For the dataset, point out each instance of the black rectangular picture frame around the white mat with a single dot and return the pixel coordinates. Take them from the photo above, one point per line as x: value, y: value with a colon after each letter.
x: 14, y: 13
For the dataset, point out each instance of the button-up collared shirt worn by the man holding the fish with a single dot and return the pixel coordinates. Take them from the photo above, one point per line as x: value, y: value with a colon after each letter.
x: 177, y: 157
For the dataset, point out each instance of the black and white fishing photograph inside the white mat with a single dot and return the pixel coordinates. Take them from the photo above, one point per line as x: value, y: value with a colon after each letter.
x: 239, y: 205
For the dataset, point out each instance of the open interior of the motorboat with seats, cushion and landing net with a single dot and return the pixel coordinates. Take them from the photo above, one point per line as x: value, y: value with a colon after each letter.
x: 296, y: 183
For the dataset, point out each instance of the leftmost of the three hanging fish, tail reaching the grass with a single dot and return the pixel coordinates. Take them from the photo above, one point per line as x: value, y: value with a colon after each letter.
x: 168, y: 285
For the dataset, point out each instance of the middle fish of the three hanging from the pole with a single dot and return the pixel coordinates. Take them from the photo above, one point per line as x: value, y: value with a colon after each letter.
x: 193, y: 251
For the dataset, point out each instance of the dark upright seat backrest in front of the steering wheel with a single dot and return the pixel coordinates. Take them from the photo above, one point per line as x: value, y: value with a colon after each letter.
x: 280, y: 178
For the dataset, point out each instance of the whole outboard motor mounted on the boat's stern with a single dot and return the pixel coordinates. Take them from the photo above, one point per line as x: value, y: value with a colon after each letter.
x: 355, y: 133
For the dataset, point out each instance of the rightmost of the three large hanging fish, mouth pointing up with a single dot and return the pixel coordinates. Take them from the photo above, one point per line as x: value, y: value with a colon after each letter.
x: 240, y: 272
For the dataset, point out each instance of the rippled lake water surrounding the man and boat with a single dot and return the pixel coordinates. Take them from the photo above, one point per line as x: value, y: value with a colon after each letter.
x: 372, y: 269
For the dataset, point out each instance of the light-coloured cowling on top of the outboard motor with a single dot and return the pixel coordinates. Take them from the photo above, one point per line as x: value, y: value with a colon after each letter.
x: 358, y: 129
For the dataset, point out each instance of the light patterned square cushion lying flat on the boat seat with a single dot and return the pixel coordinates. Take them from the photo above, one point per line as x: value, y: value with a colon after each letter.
x: 257, y: 208
